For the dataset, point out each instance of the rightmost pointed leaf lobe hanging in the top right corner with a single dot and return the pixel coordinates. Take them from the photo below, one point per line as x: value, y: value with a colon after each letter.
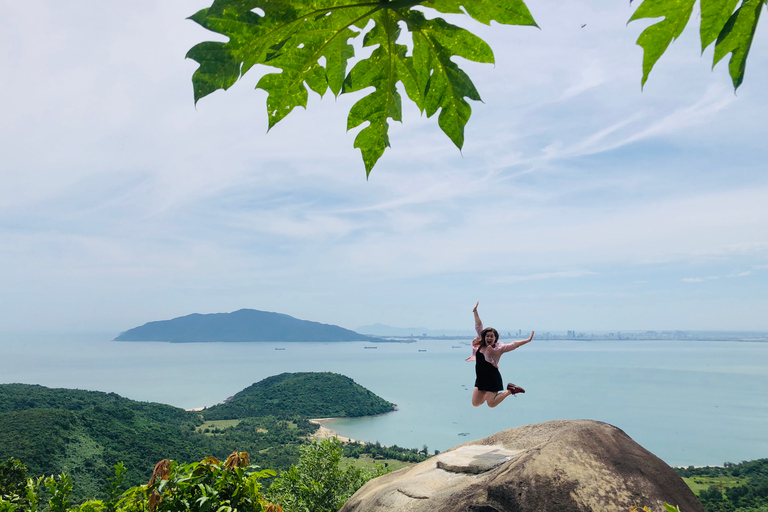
x: 736, y: 38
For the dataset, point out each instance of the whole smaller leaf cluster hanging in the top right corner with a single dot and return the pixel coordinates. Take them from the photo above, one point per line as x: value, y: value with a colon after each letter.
x: 731, y: 28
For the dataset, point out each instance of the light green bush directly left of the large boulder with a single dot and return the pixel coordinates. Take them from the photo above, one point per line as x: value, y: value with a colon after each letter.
x: 318, y: 483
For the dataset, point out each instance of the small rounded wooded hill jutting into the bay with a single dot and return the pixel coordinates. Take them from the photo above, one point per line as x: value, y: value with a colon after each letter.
x: 309, y: 395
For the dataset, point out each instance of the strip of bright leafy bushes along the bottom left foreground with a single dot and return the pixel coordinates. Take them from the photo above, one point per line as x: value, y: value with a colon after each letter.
x: 318, y: 483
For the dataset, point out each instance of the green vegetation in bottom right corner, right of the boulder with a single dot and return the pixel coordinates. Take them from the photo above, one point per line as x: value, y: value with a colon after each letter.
x: 739, y: 487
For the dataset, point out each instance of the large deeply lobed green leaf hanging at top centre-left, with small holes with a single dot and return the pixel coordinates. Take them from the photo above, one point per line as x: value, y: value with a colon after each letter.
x: 308, y: 41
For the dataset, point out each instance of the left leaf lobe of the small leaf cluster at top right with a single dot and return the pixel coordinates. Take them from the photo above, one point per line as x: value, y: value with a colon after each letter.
x: 655, y: 39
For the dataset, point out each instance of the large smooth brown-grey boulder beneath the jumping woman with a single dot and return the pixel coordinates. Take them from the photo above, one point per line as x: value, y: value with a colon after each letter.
x: 558, y: 466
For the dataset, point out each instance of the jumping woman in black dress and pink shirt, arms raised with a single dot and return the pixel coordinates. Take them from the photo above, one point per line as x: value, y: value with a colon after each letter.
x: 489, y: 388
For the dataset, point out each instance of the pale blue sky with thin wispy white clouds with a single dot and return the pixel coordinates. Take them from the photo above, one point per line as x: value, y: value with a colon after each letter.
x: 579, y: 200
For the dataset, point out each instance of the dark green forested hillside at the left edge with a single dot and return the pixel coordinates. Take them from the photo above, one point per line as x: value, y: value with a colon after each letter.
x: 87, y: 432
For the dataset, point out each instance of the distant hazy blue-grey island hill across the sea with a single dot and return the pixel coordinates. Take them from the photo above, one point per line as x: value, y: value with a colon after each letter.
x: 244, y: 325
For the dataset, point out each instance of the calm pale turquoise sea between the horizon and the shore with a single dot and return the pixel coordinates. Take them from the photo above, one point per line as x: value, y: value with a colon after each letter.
x: 689, y: 402
